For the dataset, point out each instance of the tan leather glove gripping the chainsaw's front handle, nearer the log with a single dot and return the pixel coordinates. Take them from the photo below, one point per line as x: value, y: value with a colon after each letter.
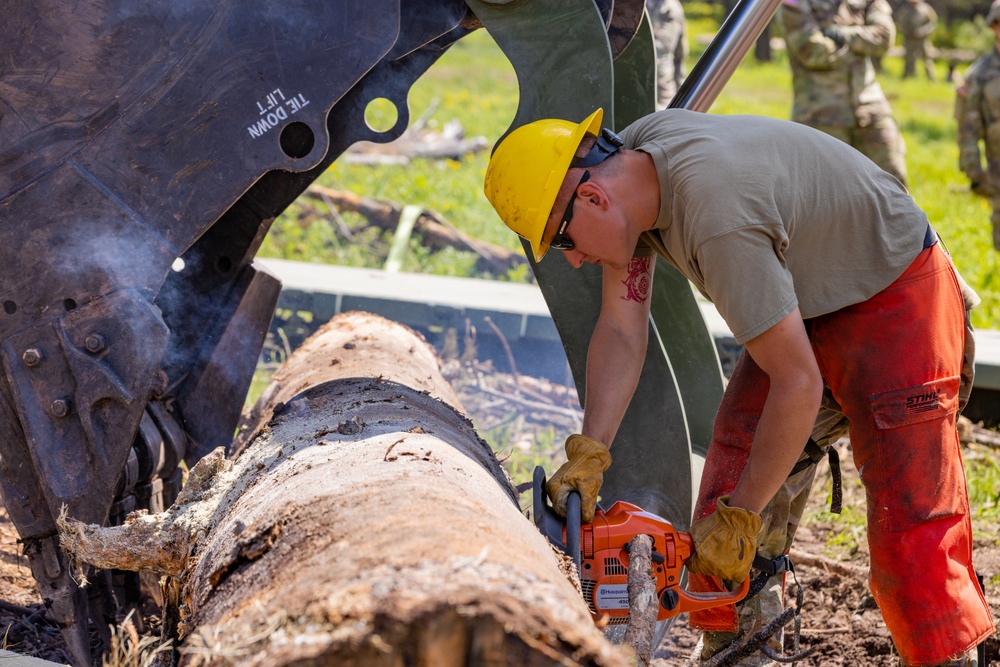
x: 583, y: 472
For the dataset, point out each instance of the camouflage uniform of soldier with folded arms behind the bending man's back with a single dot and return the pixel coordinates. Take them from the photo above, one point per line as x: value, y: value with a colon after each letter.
x: 830, y: 46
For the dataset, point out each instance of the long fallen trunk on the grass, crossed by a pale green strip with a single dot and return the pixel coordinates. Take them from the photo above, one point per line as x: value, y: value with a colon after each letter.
x: 436, y: 231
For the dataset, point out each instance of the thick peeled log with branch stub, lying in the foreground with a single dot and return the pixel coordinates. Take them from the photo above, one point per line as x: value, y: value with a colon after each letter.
x: 364, y: 523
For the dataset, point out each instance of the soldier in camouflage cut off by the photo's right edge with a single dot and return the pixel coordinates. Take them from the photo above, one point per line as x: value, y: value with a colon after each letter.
x: 977, y: 110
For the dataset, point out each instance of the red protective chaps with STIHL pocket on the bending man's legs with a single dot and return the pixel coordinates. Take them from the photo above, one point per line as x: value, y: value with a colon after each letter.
x: 893, y: 364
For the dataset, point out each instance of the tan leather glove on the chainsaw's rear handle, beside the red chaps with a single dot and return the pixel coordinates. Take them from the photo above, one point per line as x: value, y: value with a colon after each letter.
x: 725, y: 542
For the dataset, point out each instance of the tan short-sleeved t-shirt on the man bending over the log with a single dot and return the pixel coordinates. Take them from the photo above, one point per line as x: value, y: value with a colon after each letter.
x: 764, y: 215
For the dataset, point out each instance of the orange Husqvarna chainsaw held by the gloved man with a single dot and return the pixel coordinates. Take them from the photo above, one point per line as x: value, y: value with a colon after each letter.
x: 600, y: 551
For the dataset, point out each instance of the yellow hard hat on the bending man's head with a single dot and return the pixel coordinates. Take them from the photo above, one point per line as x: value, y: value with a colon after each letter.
x: 527, y: 169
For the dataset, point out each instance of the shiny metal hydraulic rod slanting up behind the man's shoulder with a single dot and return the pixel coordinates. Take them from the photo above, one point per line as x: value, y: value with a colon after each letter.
x: 733, y: 41
